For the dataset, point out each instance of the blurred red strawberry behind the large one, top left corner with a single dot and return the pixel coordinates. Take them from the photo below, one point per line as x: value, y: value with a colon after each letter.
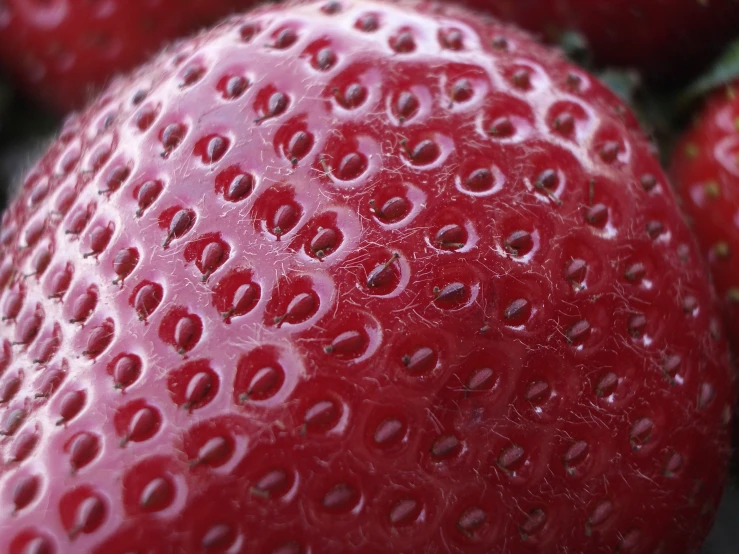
x: 61, y: 50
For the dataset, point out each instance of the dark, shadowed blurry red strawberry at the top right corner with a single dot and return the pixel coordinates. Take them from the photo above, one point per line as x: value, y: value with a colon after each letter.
x: 664, y: 38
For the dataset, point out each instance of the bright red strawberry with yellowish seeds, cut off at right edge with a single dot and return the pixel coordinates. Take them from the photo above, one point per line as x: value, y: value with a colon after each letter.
x: 705, y: 171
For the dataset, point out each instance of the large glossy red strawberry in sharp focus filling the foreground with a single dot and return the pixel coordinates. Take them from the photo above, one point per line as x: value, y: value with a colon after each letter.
x: 356, y: 277
